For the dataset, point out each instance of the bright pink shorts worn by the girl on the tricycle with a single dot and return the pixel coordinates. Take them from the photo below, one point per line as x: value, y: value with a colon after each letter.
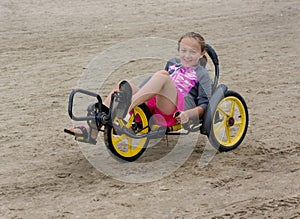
x: 164, y: 119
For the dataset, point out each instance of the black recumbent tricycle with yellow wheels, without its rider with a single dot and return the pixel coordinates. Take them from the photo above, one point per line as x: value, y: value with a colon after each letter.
x: 225, y: 122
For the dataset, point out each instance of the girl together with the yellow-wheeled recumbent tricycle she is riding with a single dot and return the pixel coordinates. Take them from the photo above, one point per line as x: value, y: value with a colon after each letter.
x: 180, y: 97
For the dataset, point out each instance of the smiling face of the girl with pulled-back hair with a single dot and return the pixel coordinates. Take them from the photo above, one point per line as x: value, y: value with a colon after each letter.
x: 189, y: 52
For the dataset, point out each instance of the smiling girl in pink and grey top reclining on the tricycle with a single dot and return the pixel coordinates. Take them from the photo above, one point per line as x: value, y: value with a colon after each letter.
x: 184, y: 86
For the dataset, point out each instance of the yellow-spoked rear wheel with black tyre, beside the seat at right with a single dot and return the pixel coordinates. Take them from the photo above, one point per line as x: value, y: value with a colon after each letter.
x: 229, y: 122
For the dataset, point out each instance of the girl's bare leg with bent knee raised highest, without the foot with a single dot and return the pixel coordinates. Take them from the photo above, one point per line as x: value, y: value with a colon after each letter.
x: 161, y: 86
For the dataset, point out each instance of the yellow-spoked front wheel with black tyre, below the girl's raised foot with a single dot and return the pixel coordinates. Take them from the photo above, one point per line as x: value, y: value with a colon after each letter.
x: 123, y: 146
